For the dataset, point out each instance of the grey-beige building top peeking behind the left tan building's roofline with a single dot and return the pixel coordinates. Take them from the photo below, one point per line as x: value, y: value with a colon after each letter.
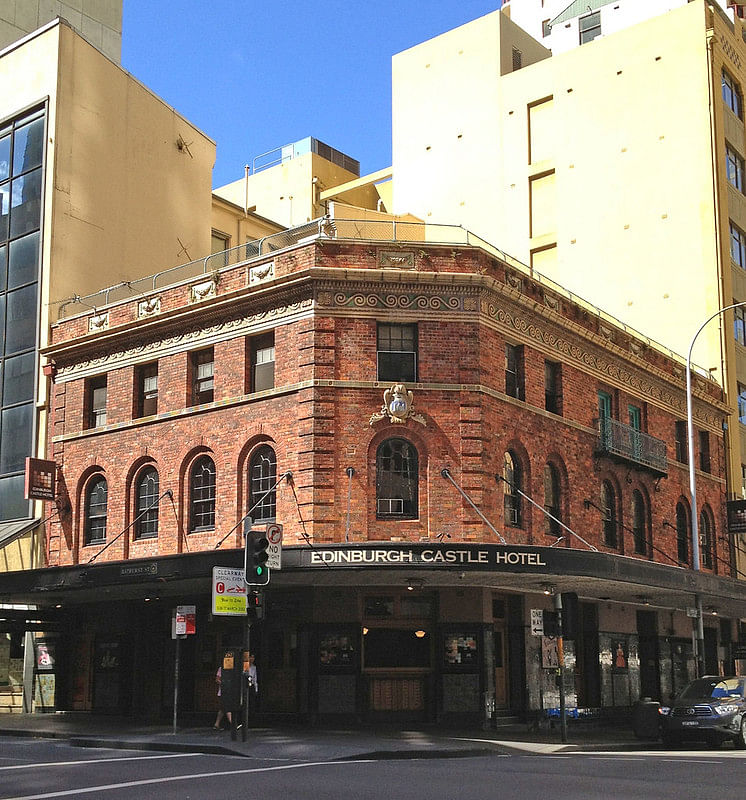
x: 99, y: 21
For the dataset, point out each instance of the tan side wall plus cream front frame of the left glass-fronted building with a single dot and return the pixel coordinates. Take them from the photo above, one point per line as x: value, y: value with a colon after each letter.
x: 120, y: 200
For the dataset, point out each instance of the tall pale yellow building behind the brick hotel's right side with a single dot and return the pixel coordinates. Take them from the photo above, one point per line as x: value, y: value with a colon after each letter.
x: 613, y: 168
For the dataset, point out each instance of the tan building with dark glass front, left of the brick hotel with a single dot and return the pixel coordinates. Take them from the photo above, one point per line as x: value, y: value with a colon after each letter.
x: 100, y: 182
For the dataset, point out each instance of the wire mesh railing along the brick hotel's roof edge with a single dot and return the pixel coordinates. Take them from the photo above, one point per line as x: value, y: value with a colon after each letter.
x: 340, y: 229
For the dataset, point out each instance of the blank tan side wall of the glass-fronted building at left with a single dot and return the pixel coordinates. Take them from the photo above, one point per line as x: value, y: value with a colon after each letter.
x: 128, y: 202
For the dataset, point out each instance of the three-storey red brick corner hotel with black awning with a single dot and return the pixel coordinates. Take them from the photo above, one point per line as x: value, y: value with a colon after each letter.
x: 446, y: 440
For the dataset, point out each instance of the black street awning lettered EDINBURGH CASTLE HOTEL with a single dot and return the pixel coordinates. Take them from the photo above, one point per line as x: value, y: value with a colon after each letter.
x: 524, y: 569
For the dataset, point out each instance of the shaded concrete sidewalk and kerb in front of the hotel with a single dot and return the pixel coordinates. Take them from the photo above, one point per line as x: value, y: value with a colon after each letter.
x: 312, y: 743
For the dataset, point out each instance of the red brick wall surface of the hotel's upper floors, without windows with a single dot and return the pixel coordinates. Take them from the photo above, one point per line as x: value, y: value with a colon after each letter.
x: 319, y: 431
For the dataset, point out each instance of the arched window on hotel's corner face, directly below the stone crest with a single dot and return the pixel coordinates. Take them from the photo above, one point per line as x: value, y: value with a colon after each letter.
x: 396, y: 479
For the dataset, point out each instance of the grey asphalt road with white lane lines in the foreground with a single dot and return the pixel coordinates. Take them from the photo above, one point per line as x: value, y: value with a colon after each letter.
x: 46, y: 769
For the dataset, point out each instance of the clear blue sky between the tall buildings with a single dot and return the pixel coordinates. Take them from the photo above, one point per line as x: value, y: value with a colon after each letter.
x: 254, y: 75
